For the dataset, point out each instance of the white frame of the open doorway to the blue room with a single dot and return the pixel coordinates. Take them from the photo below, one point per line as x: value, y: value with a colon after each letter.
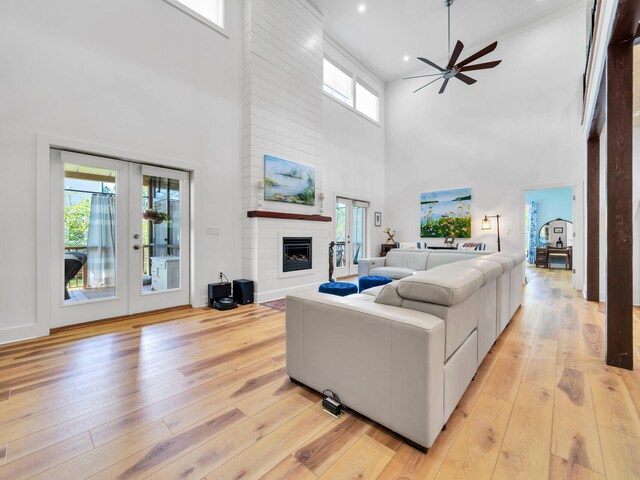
x: 578, y: 223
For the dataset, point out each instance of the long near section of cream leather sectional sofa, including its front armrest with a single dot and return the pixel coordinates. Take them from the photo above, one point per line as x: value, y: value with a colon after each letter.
x: 403, y: 354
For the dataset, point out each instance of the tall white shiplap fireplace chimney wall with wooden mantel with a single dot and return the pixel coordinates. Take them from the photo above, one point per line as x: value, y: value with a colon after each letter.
x: 282, y: 116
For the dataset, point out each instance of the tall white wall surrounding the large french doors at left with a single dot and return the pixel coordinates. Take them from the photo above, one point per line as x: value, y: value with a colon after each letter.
x: 139, y: 76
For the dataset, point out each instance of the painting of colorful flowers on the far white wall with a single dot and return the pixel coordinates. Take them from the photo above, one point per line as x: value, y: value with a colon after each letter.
x: 446, y: 213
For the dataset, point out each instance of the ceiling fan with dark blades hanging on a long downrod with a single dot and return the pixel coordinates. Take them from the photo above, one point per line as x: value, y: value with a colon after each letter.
x: 453, y: 69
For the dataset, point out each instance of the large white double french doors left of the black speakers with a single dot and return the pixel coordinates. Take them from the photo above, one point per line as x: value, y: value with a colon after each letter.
x: 120, y: 238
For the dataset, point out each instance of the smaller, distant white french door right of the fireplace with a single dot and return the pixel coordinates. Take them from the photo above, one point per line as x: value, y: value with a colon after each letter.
x: 350, y: 236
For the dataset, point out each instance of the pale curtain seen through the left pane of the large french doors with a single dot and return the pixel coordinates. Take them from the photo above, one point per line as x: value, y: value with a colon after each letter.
x: 101, y: 243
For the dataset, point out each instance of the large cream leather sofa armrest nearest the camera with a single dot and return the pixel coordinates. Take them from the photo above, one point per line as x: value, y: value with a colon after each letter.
x: 384, y: 362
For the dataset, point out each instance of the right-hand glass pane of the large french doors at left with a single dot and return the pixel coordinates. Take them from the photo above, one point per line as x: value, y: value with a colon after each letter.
x: 160, y: 234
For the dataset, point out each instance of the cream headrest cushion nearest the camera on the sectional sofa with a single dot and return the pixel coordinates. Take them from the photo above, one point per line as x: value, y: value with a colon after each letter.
x: 446, y: 285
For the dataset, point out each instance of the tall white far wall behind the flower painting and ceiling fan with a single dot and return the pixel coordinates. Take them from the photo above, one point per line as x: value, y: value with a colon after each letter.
x: 518, y: 127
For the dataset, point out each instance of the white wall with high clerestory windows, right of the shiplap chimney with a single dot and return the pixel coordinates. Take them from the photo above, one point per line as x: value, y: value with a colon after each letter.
x: 354, y: 149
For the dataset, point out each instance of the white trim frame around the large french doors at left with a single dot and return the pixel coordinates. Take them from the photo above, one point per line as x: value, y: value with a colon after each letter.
x: 44, y: 144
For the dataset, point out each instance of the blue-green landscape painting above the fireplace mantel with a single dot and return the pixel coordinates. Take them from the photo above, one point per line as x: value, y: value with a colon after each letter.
x: 291, y: 182
